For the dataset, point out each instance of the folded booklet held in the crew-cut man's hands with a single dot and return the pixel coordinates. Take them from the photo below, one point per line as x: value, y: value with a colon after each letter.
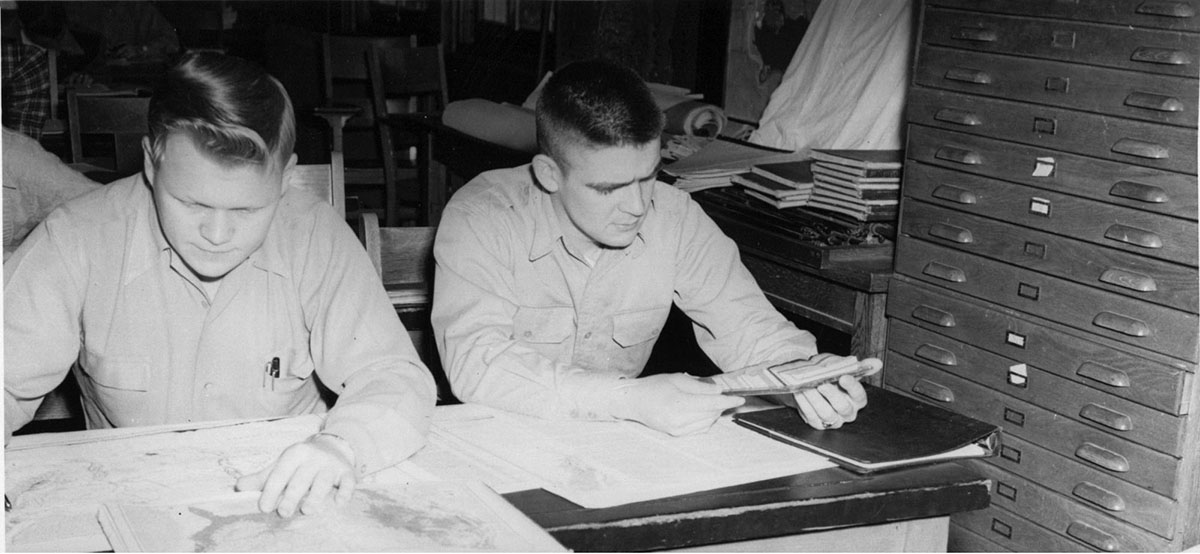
x: 794, y: 376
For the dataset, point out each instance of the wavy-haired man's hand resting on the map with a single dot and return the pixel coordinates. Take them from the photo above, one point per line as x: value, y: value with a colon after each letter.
x: 304, y: 477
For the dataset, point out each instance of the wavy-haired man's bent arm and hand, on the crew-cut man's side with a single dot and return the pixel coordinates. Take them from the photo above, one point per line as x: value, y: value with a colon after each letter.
x: 363, y: 353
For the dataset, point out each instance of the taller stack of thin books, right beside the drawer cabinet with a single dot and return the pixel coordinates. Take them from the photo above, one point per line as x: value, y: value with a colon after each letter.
x: 860, y: 184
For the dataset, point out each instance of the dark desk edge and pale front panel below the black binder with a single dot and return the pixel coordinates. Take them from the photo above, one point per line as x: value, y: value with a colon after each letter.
x: 827, y: 510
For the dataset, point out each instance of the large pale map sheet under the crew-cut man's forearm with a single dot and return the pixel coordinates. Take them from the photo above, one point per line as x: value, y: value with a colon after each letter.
x: 602, y: 465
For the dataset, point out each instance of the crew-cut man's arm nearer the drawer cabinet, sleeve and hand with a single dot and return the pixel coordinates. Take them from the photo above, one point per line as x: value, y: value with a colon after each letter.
x: 737, y: 327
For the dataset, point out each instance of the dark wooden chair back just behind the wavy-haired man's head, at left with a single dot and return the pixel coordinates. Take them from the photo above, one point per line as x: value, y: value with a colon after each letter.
x: 121, y: 118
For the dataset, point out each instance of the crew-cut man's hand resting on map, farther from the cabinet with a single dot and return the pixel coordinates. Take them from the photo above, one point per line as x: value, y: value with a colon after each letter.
x: 674, y: 404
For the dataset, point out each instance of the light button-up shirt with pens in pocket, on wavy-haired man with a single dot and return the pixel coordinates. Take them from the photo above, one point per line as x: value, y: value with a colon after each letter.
x: 99, y: 282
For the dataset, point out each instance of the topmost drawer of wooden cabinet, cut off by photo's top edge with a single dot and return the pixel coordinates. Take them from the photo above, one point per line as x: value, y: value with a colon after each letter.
x: 1179, y: 15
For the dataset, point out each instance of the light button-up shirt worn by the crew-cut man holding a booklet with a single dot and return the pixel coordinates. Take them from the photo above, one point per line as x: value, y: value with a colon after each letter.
x: 526, y: 326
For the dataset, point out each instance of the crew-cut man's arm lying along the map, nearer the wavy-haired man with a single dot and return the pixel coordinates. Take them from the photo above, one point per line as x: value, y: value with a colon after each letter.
x: 475, y: 312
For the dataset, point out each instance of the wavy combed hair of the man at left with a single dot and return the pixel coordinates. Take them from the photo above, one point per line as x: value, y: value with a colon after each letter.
x: 232, y: 109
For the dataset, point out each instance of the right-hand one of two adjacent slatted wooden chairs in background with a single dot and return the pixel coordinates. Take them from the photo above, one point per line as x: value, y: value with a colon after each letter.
x: 406, y: 85
